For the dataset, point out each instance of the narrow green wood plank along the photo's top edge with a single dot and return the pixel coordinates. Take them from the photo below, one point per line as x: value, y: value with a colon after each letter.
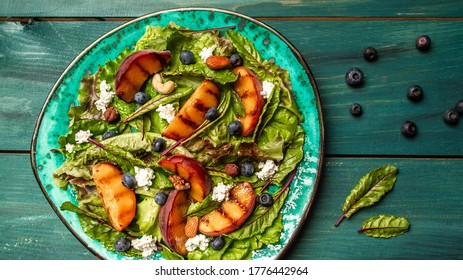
x: 255, y: 8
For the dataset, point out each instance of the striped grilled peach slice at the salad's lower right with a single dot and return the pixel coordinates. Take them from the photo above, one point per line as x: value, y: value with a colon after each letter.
x: 231, y: 214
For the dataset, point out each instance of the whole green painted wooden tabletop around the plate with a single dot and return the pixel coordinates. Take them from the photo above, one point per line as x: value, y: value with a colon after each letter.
x: 38, y: 39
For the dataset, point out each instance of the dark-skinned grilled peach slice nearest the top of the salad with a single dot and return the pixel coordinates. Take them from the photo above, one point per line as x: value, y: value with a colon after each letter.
x: 135, y: 69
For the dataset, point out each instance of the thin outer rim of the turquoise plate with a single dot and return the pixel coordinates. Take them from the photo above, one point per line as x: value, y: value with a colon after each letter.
x: 82, y: 53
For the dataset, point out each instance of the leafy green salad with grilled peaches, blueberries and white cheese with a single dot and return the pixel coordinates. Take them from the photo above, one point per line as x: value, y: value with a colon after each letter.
x: 183, y: 147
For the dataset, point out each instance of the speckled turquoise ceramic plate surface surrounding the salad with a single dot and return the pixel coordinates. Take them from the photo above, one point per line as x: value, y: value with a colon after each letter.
x: 53, y: 120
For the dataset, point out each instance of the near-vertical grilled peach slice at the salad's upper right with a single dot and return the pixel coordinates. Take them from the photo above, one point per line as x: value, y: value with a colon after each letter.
x: 248, y: 87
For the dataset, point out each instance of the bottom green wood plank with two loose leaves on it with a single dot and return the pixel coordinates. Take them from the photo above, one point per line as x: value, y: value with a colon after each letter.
x: 427, y: 192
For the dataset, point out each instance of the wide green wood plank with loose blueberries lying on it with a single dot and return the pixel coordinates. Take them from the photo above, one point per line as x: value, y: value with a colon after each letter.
x: 33, y: 57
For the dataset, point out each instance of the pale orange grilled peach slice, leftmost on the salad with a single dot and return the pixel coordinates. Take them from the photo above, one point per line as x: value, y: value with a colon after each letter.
x: 118, y: 201
